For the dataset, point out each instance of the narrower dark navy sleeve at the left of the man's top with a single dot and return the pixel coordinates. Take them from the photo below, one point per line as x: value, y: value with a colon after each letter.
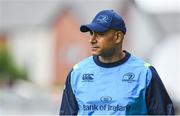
x: 69, y: 104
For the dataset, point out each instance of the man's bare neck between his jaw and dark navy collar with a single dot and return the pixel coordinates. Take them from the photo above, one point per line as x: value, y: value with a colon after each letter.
x: 113, y: 58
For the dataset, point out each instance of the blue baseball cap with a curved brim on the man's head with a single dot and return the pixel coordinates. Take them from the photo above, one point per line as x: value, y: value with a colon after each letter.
x: 105, y: 20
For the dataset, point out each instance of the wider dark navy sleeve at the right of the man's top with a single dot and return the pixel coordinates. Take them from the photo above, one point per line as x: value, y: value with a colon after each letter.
x: 157, y: 98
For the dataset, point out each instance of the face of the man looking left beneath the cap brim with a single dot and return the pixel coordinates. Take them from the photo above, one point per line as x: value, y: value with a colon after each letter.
x: 103, y: 44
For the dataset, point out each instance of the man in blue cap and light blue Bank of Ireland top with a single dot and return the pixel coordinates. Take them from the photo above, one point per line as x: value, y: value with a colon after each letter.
x: 112, y: 81
